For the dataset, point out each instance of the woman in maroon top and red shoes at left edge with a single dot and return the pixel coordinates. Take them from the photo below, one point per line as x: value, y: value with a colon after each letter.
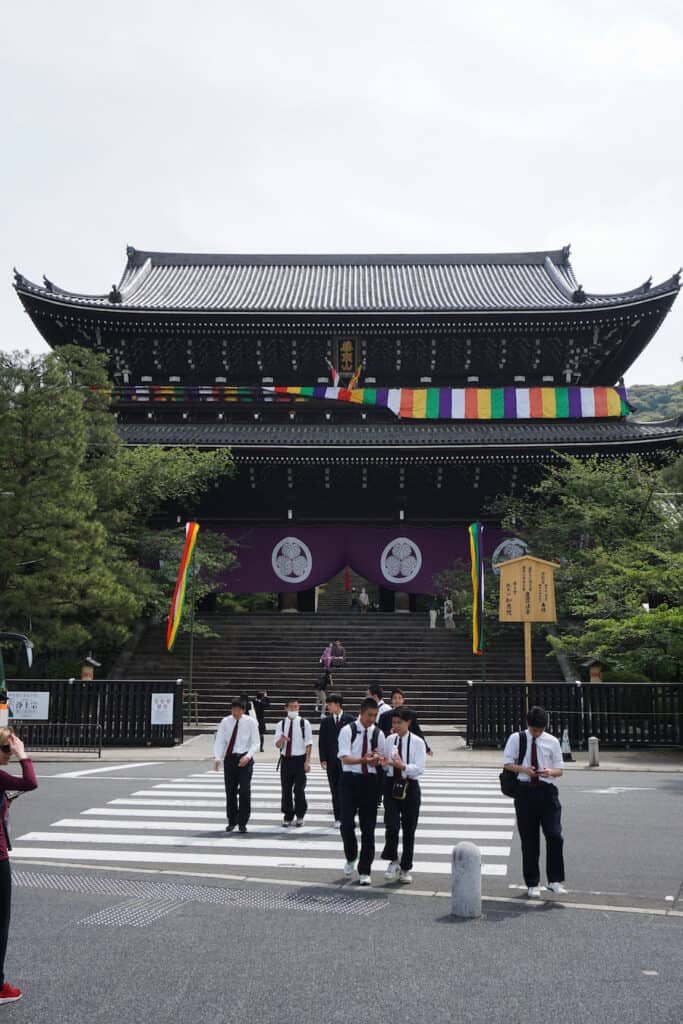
x: 10, y: 745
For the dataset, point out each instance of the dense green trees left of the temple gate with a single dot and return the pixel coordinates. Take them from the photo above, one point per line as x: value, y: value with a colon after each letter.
x: 80, y: 554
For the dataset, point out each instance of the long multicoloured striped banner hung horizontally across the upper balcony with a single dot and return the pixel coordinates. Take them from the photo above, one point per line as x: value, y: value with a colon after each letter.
x: 411, y: 404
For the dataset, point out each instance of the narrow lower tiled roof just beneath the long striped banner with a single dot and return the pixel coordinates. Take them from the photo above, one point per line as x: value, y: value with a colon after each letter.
x: 546, y: 435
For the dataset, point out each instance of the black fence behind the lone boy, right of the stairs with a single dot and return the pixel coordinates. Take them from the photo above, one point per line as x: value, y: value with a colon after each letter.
x: 619, y: 714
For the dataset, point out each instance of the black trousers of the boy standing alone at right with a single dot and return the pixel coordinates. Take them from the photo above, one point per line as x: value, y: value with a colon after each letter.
x: 539, y: 807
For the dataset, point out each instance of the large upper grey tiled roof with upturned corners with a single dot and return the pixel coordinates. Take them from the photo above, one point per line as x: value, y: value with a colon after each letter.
x: 348, y: 284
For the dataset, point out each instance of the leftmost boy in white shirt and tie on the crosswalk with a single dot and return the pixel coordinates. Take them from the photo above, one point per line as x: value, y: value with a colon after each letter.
x: 237, y: 742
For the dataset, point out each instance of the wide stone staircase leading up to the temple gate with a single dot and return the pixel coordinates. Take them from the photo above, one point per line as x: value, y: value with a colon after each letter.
x: 281, y: 654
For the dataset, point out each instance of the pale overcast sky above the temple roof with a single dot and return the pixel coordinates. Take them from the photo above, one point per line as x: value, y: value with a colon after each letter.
x: 363, y: 126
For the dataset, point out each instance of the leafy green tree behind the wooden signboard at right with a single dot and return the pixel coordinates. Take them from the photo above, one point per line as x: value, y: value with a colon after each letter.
x: 613, y: 529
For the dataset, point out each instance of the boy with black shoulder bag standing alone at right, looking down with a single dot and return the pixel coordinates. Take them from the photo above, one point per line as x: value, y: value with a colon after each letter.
x: 537, y: 801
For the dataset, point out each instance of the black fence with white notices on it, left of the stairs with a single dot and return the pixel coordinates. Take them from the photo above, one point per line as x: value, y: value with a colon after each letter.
x: 120, y: 710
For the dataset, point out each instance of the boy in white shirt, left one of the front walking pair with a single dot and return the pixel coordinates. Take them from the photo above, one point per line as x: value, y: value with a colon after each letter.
x: 361, y: 751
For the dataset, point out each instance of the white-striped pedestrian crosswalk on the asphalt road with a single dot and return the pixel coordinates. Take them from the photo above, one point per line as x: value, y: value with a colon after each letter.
x: 182, y: 822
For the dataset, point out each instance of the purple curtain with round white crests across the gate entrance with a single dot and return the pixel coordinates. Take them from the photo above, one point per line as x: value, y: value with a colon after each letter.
x: 292, y: 559
